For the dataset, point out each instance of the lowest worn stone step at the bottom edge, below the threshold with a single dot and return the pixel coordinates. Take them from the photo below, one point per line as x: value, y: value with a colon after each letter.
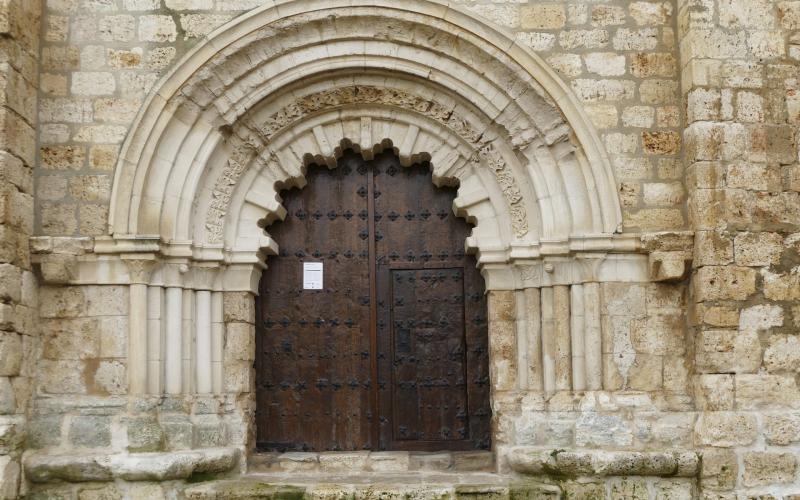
x: 373, y: 486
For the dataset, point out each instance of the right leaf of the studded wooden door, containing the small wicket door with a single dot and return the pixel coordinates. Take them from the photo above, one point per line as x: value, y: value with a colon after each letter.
x: 419, y: 240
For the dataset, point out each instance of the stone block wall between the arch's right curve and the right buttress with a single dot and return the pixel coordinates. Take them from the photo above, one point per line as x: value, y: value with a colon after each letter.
x: 620, y: 59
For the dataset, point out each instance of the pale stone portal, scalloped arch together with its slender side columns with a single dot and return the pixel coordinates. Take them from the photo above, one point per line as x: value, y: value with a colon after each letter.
x: 297, y: 82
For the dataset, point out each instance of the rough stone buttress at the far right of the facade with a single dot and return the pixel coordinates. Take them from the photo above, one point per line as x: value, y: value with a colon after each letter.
x: 740, y: 82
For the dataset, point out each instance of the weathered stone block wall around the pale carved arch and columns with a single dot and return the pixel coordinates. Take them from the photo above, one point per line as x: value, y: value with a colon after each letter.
x: 693, y: 96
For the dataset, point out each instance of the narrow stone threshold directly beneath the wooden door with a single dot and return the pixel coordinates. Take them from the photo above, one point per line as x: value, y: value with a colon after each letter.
x: 339, y: 462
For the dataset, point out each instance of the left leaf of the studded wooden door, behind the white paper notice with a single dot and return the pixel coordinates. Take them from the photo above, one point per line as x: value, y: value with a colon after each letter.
x: 313, y: 363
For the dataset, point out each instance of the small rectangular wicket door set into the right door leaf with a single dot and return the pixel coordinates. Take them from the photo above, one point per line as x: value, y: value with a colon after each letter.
x: 429, y: 390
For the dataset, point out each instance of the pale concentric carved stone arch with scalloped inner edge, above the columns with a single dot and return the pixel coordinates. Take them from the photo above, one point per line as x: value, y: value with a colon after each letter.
x: 297, y: 81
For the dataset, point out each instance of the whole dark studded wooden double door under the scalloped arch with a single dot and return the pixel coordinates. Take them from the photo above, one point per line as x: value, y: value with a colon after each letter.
x: 391, y: 352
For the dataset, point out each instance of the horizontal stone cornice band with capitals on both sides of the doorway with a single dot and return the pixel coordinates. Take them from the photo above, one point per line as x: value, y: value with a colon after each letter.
x: 105, y: 260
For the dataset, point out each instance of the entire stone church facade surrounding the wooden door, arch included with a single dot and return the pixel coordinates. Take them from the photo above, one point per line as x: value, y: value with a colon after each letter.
x: 630, y: 170
